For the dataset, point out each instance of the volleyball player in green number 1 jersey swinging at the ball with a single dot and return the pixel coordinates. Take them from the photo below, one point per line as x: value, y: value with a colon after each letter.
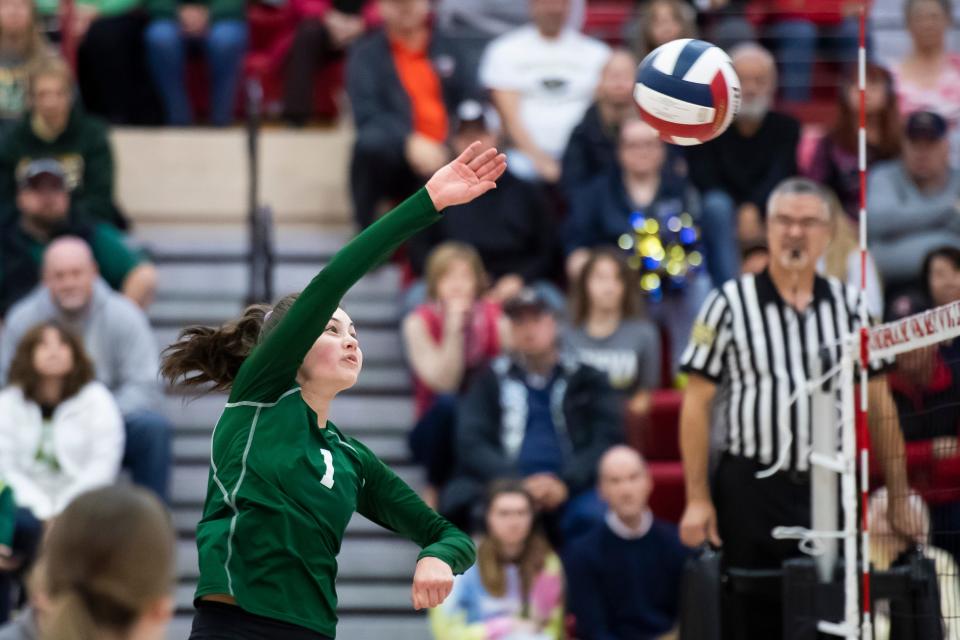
x: 284, y: 480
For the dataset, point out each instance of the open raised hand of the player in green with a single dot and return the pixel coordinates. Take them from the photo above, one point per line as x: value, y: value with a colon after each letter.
x: 469, y: 176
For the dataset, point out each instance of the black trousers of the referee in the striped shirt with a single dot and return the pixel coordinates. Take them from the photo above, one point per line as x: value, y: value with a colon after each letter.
x: 747, y: 511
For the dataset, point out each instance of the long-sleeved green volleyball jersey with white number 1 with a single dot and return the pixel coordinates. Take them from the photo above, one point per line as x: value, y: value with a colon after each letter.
x: 281, y: 490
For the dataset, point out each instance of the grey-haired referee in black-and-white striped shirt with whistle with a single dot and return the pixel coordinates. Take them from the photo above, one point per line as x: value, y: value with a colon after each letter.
x: 757, y: 341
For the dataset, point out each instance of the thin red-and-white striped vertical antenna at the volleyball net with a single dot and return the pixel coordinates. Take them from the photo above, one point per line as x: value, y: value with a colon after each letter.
x: 863, y: 433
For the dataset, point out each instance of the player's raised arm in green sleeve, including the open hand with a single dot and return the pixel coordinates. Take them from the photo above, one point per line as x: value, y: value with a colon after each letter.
x: 272, y: 367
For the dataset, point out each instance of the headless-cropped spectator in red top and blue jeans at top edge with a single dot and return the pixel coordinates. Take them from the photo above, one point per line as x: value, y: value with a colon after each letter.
x: 799, y: 29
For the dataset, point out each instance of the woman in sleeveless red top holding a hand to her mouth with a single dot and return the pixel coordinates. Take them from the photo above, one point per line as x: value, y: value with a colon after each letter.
x: 447, y: 340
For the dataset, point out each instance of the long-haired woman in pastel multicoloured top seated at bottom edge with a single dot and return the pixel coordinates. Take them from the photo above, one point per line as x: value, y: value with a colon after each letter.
x: 515, y: 590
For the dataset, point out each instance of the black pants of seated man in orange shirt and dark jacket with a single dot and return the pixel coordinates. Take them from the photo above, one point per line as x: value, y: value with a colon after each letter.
x: 379, y: 173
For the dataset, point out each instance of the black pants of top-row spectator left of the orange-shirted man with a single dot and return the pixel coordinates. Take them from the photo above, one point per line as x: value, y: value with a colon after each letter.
x: 312, y: 48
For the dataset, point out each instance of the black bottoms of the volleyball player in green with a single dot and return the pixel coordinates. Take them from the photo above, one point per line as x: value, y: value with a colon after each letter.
x: 221, y: 621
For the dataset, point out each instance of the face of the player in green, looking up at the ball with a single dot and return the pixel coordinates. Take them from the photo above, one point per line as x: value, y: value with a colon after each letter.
x: 335, y: 358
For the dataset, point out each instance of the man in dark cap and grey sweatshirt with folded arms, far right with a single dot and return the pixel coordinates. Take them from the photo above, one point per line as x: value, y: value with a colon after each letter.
x: 913, y: 202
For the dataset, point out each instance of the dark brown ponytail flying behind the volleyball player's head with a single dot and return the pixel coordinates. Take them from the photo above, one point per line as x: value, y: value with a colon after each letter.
x: 203, y: 355
